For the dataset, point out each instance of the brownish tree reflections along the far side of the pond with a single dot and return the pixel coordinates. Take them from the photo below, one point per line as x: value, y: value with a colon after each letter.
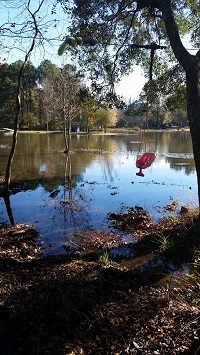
x: 40, y: 155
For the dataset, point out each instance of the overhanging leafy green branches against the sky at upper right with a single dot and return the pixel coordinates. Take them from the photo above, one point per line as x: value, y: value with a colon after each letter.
x: 119, y: 26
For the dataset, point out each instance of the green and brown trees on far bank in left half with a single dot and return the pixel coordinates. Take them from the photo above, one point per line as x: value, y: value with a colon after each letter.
x: 42, y: 106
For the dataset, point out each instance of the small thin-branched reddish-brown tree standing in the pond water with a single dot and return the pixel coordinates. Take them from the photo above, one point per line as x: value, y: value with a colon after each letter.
x: 61, y: 100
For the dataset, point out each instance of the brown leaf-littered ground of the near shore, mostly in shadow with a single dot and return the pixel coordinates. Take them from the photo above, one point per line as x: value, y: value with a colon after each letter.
x: 76, y: 304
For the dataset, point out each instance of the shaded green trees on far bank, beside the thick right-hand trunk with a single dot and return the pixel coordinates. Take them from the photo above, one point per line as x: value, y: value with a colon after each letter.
x: 165, y: 98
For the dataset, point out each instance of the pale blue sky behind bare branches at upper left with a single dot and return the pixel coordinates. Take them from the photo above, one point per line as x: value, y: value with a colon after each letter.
x: 53, y: 31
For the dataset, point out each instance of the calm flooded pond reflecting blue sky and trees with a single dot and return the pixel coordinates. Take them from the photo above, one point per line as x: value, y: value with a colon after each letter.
x: 66, y: 195
